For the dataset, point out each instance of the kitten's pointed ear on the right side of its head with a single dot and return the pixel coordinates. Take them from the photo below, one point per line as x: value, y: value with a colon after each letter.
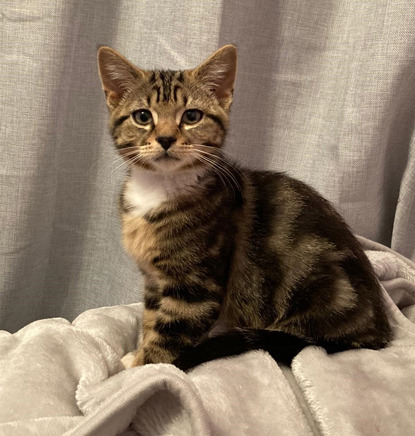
x: 219, y: 72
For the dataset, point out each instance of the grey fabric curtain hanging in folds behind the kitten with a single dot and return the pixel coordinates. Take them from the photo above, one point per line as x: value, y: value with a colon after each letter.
x: 325, y: 92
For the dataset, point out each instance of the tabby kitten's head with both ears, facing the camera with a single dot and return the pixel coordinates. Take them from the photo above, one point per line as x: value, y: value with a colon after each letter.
x: 168, y: 121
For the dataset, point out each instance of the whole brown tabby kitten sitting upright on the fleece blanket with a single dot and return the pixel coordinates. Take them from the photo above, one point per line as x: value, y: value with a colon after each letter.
x: 259, y: 251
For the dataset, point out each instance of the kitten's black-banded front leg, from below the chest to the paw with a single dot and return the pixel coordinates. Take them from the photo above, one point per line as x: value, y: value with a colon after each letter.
x: 176, y: 321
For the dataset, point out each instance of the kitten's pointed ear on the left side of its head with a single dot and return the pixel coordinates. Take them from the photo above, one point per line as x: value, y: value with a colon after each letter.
x: 118, y: 75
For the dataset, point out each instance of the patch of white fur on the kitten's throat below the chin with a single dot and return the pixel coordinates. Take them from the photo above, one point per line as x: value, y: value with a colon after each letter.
x: 146, y: 190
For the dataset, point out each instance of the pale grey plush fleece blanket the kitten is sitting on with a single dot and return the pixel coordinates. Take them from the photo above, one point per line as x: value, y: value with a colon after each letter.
x: 61, y: 378
